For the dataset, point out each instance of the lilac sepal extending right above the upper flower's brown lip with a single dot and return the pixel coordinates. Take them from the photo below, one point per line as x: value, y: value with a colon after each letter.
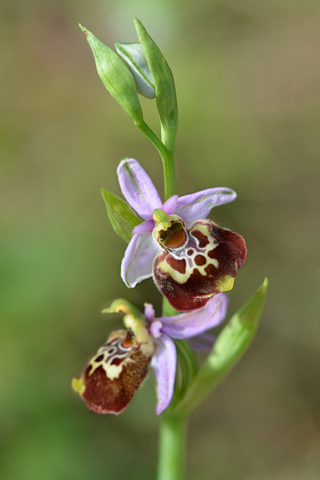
x: 198, y: 205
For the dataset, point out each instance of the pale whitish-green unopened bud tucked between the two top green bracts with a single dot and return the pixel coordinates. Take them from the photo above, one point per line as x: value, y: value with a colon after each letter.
x: 133, y: 55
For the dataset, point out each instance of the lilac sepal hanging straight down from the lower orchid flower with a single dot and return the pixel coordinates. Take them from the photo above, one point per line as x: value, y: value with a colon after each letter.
x: 163, y: 364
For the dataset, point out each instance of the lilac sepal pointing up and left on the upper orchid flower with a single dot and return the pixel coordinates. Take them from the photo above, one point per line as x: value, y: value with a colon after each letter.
x: 137, y: 188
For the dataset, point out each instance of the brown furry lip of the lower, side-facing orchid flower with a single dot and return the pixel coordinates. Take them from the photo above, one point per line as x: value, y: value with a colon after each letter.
x: 114, y: 374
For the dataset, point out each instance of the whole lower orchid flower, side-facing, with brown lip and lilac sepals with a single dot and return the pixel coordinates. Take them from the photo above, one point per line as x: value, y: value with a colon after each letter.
x: 113, y: 375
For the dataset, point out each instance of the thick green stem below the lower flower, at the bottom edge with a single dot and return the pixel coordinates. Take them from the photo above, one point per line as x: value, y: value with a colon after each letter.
x: 171, y: 446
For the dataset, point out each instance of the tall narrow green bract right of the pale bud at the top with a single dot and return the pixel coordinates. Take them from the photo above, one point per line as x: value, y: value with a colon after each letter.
x: 164, y: 85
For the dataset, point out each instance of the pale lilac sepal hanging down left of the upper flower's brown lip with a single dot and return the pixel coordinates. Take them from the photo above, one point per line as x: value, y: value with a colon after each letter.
x: 138, y: 258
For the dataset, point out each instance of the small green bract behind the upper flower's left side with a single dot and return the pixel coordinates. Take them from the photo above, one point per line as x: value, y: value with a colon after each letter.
x: 123, y: 219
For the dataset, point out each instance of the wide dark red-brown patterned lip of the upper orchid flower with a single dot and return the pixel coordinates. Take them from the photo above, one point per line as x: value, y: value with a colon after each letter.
x: 190, y: 272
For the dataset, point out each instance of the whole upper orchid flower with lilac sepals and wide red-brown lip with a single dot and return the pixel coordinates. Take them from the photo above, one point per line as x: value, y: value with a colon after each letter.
x: 191, y: 259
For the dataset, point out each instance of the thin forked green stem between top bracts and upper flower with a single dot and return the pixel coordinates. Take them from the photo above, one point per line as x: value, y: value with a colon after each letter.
x: 168, y: 161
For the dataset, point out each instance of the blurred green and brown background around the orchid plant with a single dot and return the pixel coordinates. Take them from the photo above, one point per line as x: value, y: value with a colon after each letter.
x: 248, y: 81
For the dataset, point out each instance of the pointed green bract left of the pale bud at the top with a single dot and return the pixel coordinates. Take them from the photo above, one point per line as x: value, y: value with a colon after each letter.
x: 116, y: 77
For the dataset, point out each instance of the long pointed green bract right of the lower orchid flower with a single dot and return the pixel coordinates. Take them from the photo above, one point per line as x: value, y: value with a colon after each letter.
x: 231, y: 344
